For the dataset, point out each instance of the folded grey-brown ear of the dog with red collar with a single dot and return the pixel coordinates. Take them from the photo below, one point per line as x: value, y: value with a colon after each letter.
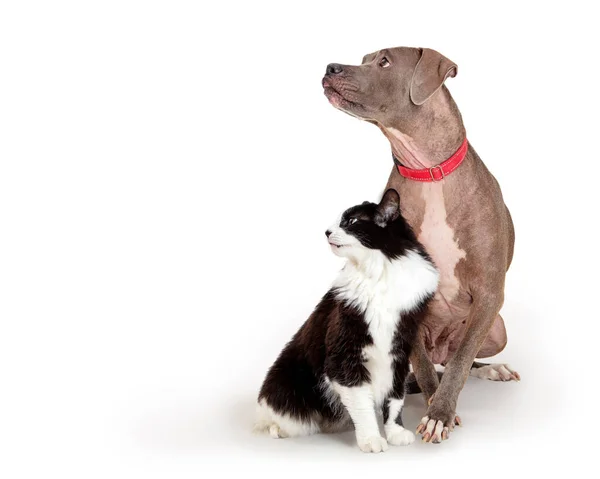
x: 430, y: 73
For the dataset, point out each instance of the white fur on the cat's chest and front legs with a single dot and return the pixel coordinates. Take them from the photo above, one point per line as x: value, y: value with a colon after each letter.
x: 382, y: 290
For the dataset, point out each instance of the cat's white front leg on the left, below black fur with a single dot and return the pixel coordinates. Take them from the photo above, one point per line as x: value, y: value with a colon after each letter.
x: 358, y: 401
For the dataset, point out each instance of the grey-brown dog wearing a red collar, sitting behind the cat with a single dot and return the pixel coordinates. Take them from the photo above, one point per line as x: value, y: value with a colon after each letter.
x: 454, y: 205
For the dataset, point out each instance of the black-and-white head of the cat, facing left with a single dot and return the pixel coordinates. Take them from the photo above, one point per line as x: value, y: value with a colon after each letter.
x: 369, y: 227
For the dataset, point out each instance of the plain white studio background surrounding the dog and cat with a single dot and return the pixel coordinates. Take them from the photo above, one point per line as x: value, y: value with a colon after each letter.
x: 167, y: 172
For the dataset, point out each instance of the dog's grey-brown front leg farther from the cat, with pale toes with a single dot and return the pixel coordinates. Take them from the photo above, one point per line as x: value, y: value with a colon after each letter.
x: 441, y: 414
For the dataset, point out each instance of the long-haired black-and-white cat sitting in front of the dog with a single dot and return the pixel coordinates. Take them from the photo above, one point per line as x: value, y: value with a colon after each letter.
x: 351, y: 357
